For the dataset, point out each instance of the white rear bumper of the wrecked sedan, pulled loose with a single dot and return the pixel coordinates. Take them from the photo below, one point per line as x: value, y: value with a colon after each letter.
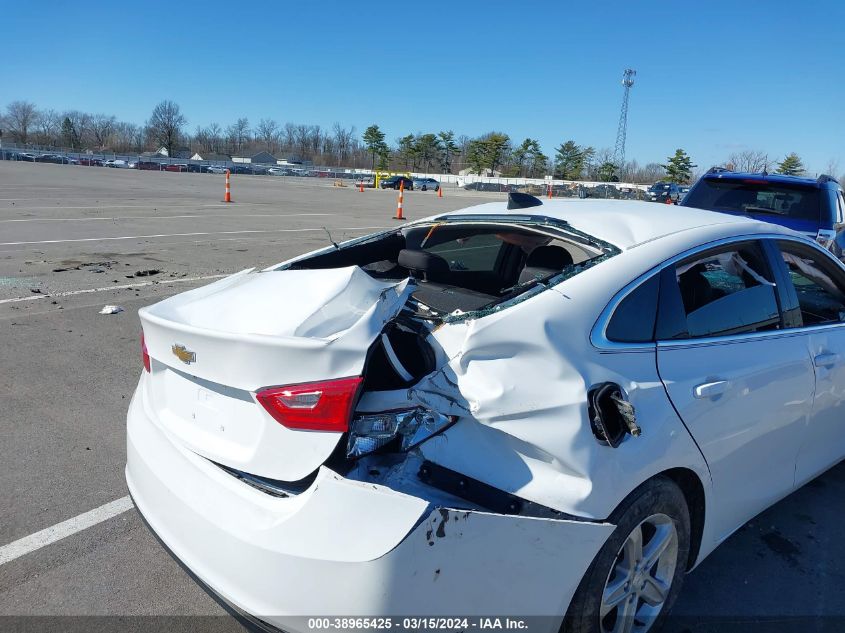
x: 344, y: 547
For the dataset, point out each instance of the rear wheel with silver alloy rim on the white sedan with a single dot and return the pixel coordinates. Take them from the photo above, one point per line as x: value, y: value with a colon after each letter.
x: 636, y: 576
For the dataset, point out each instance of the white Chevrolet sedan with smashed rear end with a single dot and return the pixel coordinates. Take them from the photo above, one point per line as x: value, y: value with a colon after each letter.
x: 532, y: 409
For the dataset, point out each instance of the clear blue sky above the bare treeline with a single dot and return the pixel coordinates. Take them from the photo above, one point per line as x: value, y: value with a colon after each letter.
x: 712, y: 77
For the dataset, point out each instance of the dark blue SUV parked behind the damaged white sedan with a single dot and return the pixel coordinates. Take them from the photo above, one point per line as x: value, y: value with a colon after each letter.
x: 812, y: 206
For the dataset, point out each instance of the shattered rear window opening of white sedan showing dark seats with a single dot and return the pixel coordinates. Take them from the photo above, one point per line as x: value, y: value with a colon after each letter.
x: 462, y: 266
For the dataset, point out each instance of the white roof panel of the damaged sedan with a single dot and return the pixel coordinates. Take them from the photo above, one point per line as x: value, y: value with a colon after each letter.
x: 628, y: 223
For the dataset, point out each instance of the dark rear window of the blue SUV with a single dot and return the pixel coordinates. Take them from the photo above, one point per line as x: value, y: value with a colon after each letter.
x: 755, y: 196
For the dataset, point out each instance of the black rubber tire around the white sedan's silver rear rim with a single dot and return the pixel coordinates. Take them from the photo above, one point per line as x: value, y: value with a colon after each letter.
x: 656, y: 496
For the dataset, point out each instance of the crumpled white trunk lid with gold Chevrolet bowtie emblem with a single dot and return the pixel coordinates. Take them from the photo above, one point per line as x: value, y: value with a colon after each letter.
x: 212, y: 348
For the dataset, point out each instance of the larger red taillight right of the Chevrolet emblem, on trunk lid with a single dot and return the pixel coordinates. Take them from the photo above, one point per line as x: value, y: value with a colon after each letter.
x: 312, y: 406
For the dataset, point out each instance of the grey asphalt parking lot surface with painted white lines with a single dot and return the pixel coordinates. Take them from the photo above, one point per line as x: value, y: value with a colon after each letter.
x: 73, y: 239
